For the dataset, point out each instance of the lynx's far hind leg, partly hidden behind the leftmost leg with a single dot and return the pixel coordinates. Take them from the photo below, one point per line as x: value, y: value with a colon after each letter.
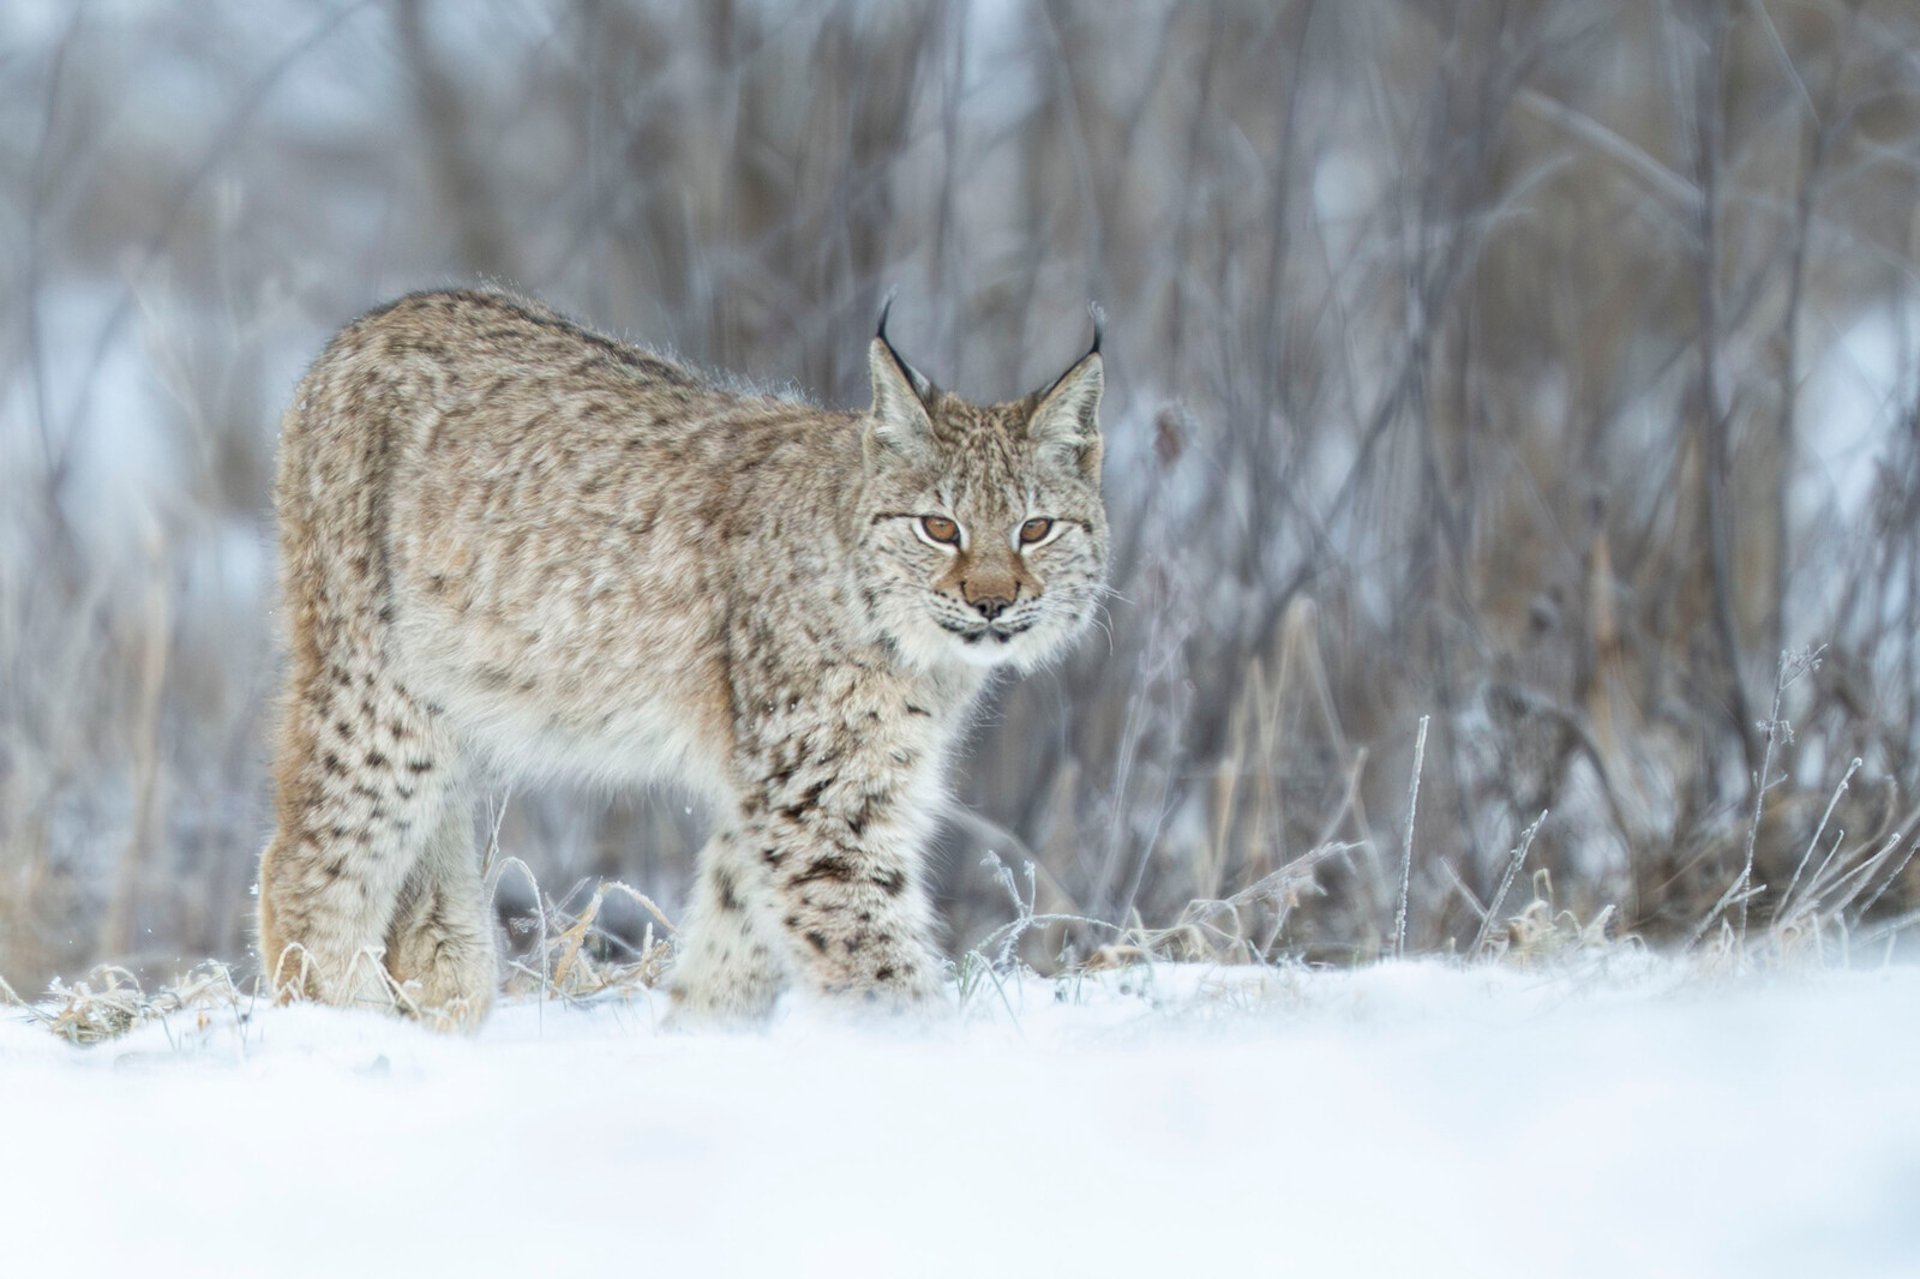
x: 441, y: 946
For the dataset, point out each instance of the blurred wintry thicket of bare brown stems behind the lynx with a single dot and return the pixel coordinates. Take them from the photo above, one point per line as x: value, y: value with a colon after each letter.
x: 1537, y: 372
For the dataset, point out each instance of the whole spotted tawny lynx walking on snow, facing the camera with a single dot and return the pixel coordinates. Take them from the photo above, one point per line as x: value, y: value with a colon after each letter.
x: 523, y: 548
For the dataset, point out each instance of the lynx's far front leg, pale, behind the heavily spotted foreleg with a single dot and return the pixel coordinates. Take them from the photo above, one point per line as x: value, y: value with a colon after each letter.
x: 727, y: 969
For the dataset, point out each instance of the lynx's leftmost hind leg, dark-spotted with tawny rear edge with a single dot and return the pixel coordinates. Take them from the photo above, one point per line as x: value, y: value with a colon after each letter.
x: 362, y: 790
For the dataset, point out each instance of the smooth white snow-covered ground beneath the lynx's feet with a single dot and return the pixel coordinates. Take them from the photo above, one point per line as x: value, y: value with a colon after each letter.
x: 1627, y: 1117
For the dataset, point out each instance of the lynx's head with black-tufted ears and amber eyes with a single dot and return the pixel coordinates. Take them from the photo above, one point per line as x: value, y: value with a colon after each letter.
x: 984, y: 533
